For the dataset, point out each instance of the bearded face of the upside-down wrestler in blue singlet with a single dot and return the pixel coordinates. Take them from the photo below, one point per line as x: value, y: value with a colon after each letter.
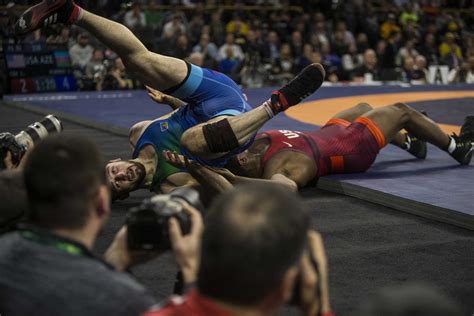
x: 124, y: 176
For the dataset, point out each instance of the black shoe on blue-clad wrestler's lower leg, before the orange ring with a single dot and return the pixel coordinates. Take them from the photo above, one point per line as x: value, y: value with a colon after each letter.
x: 303, y: 85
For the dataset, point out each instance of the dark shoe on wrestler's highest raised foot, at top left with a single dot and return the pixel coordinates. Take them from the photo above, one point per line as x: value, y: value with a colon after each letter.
x: 45, y: 13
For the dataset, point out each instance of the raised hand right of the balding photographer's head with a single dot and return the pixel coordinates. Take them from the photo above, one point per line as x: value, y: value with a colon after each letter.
x: 311, y: 279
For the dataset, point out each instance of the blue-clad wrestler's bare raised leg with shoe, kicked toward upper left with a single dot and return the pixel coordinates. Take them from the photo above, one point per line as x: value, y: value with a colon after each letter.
x: 154, y: 70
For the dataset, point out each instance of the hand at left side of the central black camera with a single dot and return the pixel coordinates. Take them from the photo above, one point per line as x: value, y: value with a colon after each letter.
x: 119, y: 256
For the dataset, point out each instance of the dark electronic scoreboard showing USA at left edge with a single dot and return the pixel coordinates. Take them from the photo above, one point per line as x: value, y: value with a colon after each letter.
x: 38, y: 67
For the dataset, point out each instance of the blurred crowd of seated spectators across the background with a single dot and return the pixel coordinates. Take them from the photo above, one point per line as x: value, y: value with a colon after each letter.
x: 361, y: 41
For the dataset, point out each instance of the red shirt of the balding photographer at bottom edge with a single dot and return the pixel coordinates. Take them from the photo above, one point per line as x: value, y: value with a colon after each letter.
x: 191, y: 304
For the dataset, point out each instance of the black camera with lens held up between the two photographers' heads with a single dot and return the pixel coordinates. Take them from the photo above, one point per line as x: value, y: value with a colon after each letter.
x: 147, y: 224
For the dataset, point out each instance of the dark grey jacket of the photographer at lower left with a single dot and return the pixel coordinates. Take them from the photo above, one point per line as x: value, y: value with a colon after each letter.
x: 44, y: 274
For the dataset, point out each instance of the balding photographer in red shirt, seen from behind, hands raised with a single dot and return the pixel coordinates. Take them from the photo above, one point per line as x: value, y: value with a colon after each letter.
x: 257, y: 251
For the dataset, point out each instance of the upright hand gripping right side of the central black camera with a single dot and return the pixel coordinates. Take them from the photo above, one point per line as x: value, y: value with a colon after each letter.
x: 187, y: 248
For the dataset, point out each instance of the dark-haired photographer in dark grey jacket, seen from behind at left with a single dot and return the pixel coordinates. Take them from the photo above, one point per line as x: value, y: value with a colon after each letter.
x: 47, y: 268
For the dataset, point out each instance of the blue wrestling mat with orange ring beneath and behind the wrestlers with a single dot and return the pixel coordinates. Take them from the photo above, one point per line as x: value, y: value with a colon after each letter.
x: 436, y: 188
